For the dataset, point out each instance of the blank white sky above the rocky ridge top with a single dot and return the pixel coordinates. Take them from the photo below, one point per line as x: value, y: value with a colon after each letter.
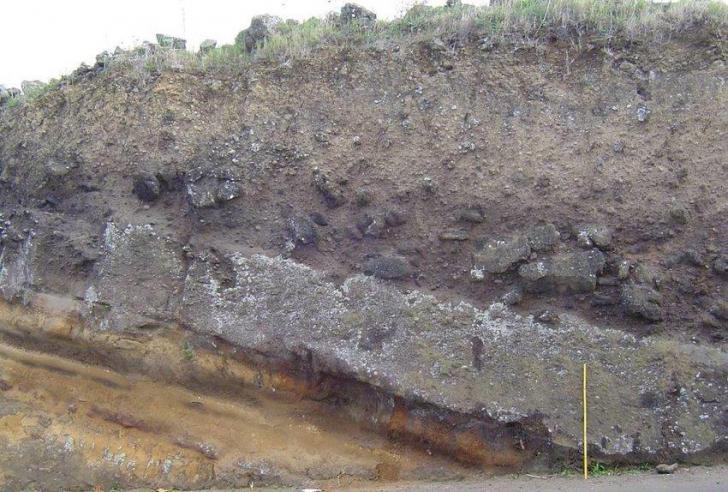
x: 43, y: 39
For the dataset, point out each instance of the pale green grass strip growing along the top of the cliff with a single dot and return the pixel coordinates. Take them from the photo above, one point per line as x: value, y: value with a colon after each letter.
x: 512, y: 21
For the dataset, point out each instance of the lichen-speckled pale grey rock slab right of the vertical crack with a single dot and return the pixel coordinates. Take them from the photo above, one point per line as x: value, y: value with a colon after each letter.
x: 412, y: 345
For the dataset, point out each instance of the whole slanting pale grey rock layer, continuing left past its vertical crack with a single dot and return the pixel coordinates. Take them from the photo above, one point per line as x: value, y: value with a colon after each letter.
x: 648, y: 396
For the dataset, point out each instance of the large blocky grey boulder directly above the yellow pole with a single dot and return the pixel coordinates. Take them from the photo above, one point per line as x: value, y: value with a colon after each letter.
x: 571, y: 272
